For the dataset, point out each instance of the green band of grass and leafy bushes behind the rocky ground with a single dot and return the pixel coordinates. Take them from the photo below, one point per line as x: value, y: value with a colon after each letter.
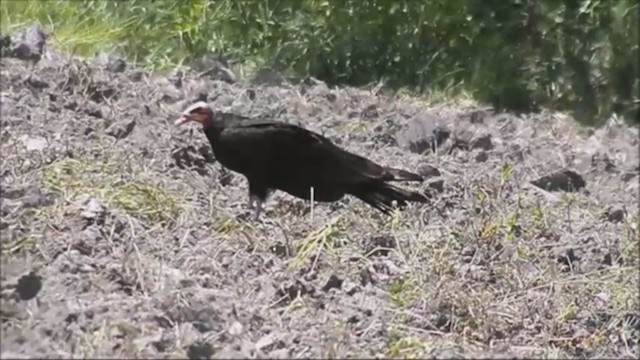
x: 579, y: 56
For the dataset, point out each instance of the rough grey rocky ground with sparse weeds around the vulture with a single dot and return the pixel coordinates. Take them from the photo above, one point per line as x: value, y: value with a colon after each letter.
x: 123, y: 237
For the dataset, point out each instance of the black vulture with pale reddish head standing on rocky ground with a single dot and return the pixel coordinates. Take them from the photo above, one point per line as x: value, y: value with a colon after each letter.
x: 280, y: 156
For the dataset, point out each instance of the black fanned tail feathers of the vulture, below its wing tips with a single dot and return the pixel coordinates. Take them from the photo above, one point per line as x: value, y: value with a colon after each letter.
x: 382, y: 195
